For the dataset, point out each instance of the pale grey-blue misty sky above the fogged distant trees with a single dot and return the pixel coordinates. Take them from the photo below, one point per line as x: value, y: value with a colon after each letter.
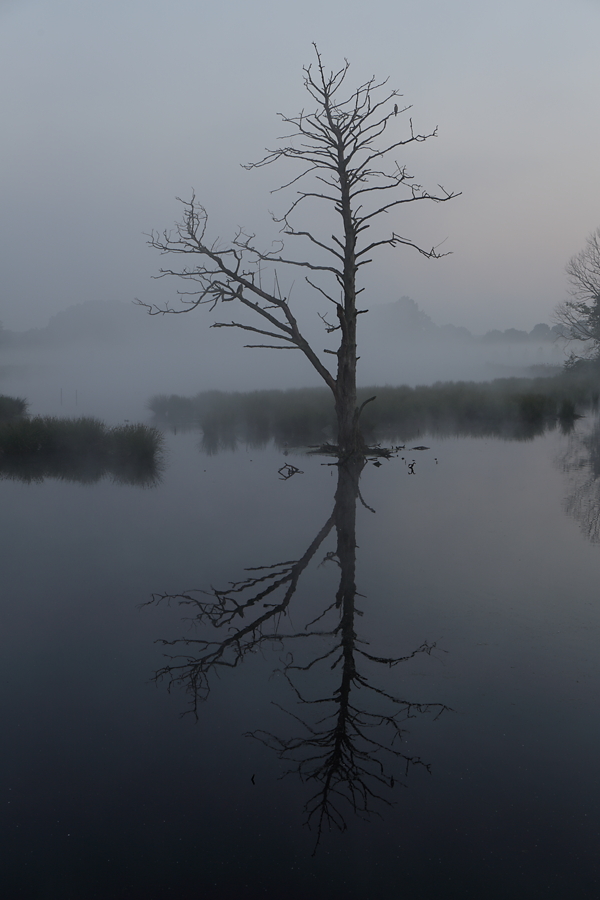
x: 111, y: 109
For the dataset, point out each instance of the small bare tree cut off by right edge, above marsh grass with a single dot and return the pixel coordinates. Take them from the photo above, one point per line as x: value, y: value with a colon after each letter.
x: 580, y: 314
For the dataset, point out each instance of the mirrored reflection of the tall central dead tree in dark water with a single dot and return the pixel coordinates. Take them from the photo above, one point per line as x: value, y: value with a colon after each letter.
x: 346, y: 742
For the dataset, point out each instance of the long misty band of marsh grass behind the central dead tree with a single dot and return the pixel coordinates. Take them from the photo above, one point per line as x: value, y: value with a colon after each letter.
x: 515, y: 408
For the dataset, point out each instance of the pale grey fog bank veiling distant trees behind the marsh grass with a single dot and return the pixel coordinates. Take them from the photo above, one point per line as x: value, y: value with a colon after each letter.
x: 108, y: 359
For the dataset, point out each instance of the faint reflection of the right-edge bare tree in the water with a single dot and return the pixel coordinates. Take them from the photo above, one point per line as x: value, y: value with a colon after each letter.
x: 581, y: 462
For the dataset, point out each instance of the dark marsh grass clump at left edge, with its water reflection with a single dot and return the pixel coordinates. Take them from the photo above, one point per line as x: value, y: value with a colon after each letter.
x: 84, y: 450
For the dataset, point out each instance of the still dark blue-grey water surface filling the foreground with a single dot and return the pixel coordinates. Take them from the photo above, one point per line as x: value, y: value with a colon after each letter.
x: 485, y: 561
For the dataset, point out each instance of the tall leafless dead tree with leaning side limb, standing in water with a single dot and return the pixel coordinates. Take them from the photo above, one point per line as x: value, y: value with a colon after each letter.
x: 343, y: 167
